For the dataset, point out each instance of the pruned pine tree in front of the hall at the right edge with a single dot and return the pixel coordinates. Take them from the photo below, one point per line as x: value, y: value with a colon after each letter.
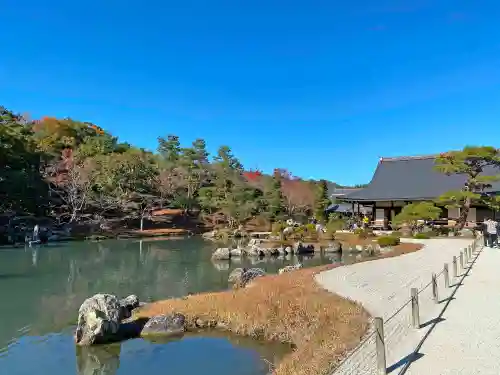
x: 471, y: 162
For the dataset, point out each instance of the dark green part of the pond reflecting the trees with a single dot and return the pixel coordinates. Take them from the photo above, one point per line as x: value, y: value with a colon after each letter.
x: 52, y: 281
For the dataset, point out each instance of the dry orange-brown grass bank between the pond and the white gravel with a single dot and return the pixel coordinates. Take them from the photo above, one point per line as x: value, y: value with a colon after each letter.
x: 290, y: 308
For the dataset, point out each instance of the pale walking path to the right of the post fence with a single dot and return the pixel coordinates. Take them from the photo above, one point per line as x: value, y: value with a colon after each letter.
x: 468, y: 340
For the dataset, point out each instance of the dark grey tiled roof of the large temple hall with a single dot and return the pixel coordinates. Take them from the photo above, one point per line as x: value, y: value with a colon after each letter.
x: 411, y: 178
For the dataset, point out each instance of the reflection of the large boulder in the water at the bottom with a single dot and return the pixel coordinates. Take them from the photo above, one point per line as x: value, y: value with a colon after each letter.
x: 98, y: 360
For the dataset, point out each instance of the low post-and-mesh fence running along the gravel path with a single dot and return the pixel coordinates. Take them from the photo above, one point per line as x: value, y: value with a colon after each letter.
x: 372, y: 348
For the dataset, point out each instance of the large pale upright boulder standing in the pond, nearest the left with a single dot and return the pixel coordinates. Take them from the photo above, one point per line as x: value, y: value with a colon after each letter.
x: 98, y: 320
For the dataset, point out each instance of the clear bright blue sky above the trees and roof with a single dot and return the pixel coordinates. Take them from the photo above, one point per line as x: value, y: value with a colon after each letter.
x: 323, y: 88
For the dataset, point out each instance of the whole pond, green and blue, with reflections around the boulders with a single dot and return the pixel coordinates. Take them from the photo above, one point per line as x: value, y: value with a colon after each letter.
x: 42, y: 289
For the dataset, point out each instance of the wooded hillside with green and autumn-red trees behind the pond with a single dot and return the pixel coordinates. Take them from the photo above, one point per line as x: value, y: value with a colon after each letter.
x: 75, y: 171
